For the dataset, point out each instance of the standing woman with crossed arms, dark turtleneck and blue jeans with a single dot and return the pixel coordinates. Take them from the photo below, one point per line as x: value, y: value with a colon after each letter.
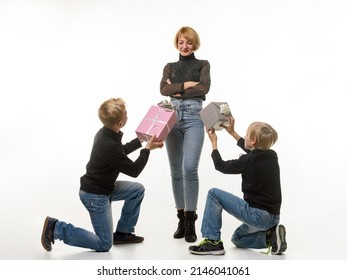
x: 187, y: 82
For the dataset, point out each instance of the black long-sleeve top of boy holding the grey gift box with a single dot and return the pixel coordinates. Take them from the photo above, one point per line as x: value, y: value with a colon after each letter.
x: 260, y: 173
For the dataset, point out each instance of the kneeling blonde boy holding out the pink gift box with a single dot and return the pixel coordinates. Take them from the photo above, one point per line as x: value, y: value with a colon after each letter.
x: 100, y: 187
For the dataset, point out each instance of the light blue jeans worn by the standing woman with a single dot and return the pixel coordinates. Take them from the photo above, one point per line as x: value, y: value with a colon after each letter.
x: 184, y: 145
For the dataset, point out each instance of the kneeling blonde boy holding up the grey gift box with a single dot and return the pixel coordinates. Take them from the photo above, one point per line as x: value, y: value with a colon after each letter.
x: 259, y: 210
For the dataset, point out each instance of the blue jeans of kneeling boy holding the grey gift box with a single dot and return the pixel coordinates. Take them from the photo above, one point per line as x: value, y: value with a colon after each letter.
x: 255, y: 222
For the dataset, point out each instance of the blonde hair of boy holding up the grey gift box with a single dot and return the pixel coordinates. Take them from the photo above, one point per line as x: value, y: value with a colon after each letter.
x: 264, y: 134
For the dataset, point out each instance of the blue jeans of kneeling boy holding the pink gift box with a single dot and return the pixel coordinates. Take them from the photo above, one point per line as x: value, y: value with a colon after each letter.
x: 100, y: 211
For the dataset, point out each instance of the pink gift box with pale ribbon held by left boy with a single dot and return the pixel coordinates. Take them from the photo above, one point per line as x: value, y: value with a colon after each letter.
x: 158, y: 121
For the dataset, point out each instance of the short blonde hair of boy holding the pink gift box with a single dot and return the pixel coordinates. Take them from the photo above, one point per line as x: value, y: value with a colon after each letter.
x: 112, y: 111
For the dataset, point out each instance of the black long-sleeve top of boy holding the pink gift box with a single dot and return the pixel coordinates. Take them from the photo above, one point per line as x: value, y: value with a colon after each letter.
x: 109, y: 158
